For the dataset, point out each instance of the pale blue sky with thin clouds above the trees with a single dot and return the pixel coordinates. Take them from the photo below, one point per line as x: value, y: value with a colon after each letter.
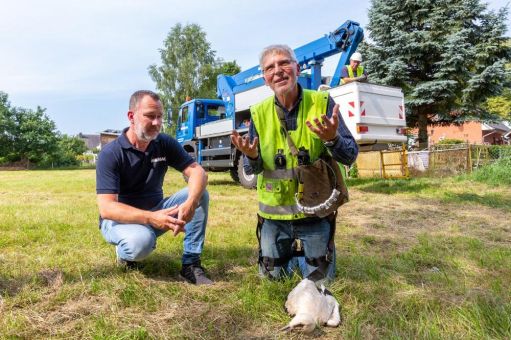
x: 81, y: 60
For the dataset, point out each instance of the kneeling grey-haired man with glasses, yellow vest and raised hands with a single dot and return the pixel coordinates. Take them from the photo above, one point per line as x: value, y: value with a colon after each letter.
x: 313, y: 122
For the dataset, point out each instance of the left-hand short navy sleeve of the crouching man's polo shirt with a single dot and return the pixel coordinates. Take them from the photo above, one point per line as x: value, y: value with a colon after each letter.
x: 108, y: 178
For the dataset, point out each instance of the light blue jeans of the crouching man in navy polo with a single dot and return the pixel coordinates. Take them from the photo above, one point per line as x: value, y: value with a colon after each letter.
x: 136, y: 241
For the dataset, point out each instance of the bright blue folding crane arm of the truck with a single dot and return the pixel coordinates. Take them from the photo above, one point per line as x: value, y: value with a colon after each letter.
x: 344, y: 40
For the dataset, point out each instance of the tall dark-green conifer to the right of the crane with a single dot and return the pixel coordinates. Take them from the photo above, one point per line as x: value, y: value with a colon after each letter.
x: 448, y: 56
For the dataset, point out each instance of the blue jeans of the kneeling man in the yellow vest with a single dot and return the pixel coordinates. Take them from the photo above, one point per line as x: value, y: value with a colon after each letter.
x: 277, y: 237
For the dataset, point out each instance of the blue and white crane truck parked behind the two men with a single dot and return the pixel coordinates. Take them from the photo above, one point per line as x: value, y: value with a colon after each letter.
x: 373, y: 113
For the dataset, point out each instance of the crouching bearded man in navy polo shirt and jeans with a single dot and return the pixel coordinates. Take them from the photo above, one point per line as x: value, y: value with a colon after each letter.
x: 129, y: 180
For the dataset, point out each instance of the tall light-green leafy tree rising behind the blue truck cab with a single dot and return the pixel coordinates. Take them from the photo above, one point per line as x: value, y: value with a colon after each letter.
x: 189, y: 67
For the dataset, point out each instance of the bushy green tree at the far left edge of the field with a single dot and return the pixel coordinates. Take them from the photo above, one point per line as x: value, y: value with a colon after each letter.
x: 25, y: 134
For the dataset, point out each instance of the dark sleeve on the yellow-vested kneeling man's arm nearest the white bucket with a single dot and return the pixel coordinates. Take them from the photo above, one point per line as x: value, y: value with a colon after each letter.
x: 345, y: 150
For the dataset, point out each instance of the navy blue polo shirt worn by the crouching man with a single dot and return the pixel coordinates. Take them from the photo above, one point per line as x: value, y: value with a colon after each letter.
x: 137, y: 176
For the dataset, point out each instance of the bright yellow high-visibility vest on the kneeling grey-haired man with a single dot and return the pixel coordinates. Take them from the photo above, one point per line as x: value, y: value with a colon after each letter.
x: 276, y: 188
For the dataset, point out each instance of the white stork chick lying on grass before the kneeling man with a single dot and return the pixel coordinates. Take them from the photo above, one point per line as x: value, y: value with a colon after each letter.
x: 311, y: 306
